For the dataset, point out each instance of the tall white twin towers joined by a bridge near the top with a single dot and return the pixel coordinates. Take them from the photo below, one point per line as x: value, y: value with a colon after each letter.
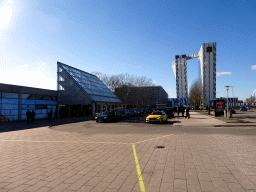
x: 207, y: 58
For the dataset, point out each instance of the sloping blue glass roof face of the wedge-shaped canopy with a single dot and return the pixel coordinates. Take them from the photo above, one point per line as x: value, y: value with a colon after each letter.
x: 91, y: 84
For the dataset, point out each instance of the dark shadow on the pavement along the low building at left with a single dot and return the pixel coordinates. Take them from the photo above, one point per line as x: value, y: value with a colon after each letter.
x: 22, y: 125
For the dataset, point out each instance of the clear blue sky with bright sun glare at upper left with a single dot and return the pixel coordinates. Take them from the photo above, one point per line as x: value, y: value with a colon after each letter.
x: 134, y: 36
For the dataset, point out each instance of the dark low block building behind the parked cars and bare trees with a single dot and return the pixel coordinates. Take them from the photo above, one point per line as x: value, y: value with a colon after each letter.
x: 142, y: 96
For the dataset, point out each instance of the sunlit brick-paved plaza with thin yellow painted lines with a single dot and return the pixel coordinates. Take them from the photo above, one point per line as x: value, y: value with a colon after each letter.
x: 182, y: 155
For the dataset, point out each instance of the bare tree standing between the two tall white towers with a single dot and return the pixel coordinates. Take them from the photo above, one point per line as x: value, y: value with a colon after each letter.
x: 195, y: 93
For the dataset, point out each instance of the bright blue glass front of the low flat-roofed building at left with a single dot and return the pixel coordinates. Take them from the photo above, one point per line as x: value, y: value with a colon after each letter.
x: 9, y: 105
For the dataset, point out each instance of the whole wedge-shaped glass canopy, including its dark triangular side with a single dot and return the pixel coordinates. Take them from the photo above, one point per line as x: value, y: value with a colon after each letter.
x: 79, y: 87
